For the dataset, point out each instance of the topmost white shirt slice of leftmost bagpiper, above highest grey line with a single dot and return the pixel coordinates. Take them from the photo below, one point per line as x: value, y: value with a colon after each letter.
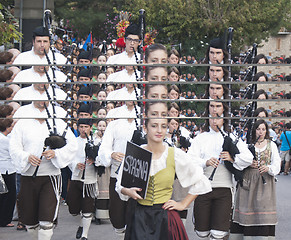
x: 30, y: 57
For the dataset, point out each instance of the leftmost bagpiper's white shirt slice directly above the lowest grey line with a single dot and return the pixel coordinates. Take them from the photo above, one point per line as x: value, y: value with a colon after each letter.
x: 29, y: 111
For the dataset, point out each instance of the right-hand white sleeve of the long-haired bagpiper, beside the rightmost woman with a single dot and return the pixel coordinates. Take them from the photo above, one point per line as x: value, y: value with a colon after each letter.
x: 244, y: 158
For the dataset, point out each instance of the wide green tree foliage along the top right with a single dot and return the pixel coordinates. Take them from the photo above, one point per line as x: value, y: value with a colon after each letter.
x: 181, y: 20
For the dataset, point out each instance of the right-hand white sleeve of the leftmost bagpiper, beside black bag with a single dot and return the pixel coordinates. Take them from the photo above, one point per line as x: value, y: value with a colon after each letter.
x: 65, y: 155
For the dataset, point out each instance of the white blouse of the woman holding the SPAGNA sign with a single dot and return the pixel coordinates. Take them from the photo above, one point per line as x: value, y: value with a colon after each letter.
x: 189, y: 174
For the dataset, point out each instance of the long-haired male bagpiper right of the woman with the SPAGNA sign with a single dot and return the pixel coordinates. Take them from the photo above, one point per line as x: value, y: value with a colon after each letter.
x: 212, y: 211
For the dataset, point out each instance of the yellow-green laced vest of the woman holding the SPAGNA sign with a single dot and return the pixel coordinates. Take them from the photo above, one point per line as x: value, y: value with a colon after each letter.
x: 160, y: 186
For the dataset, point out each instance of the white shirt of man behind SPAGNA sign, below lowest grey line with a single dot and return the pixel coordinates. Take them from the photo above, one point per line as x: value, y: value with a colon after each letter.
x: 115, y: 138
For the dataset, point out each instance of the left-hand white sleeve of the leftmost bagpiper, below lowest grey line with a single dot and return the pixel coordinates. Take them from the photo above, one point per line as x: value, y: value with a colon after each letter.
x: 19, y: 157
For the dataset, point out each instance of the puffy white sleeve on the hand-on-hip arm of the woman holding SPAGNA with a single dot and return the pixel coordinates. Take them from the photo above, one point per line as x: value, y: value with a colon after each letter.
x: 190, y: 174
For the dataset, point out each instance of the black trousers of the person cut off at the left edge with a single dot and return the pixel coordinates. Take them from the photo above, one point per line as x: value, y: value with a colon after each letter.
x: 7, y: 200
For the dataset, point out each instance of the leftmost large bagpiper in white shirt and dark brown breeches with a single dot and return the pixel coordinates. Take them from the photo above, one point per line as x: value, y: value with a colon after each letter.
x: 39, y: 196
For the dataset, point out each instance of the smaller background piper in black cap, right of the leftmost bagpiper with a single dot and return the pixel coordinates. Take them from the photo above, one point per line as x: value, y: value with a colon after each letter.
x: 83, y: 187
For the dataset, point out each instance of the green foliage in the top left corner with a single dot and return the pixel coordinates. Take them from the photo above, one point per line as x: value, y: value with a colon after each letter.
x: 8, y: 26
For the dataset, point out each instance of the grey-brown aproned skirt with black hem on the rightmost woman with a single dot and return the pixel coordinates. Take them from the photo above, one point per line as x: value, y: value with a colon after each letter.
x: 255, y: 208
